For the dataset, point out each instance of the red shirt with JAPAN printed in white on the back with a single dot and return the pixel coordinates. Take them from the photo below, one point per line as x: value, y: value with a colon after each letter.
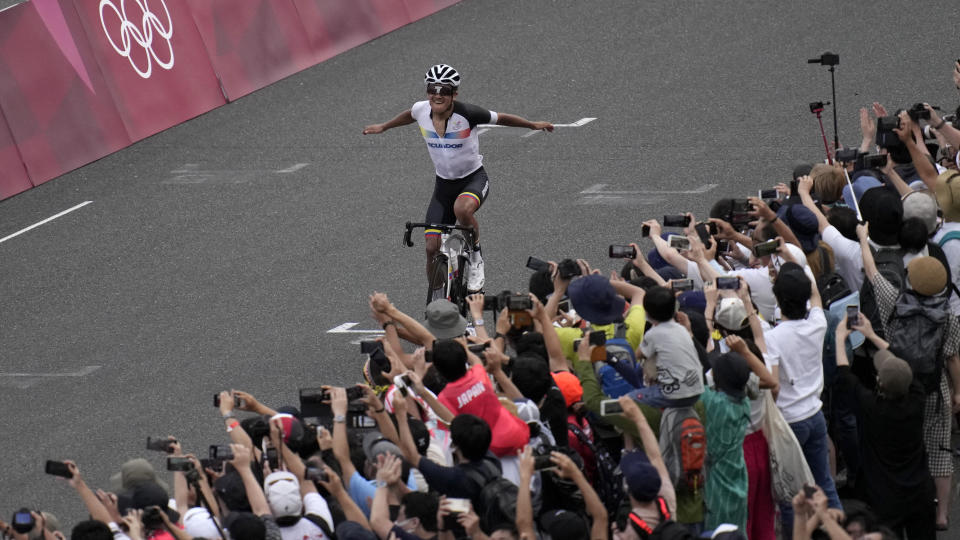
x: 473, y: 394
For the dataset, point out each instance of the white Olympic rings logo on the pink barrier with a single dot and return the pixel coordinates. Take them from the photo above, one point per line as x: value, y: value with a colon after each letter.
x: 142, y: 36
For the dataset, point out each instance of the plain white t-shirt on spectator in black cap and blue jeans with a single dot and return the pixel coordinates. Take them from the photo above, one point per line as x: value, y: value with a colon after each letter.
x: 796, y: 346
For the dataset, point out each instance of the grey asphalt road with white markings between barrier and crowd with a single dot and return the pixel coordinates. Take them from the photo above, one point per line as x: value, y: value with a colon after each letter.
x: 218, y: 253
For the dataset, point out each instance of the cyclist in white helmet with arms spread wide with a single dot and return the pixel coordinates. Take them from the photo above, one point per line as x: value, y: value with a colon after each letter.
x: 461, y: 185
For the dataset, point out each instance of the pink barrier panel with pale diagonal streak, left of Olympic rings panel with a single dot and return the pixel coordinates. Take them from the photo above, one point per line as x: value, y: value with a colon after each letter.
x: 57, y: 107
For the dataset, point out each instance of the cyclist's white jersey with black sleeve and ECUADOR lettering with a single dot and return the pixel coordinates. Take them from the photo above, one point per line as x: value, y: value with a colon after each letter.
x: 456, y: 153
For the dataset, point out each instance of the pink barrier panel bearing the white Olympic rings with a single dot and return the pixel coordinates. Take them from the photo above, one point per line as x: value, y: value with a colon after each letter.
x: 153, y: 60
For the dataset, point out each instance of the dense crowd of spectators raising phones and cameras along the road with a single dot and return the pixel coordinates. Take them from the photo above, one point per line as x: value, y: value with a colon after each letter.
x: 787, y: 367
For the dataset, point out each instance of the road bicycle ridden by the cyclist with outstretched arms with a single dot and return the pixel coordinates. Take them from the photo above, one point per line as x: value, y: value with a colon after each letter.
x: 449, y: 268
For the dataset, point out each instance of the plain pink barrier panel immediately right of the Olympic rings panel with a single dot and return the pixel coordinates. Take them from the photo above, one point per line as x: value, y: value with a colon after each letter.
x: 252, y: 43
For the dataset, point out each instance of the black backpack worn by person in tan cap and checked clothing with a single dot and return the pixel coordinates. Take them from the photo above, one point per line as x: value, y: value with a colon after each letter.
x: 915, y: 332
